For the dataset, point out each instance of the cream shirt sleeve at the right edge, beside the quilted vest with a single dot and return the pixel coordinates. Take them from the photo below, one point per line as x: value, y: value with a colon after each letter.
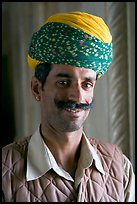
x: 129, y: 181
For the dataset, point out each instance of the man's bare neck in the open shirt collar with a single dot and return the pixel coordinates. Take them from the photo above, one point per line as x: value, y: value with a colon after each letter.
x: 65, y: 147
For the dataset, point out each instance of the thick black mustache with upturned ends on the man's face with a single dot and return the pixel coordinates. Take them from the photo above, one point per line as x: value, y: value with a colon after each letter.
x: 73, y: 105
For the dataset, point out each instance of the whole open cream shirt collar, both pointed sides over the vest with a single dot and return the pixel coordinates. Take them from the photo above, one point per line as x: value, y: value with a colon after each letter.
x: 40, y: 159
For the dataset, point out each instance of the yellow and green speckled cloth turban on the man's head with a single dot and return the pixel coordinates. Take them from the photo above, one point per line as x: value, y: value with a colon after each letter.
x: 76, y: 38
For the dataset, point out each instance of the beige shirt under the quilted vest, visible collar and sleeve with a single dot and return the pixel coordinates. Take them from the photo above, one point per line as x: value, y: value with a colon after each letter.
x: 39, y: 162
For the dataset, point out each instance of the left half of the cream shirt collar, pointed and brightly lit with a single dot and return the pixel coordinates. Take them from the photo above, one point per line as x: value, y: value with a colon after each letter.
x: 40, y: 159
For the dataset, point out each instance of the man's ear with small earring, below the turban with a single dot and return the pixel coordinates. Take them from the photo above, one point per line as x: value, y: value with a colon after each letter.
x: 35, y: 88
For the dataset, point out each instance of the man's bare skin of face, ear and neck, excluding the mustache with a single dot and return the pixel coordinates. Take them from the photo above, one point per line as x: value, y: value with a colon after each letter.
x: 62, y: 129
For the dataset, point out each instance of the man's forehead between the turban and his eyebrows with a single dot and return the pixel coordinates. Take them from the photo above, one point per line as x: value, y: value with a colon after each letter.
x: 72, y: 71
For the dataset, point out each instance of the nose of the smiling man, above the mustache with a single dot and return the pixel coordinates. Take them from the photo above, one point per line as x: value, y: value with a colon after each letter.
x: 76, y: 94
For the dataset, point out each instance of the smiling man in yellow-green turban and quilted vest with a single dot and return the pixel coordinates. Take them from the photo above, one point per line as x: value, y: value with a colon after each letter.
x: 58, y: 163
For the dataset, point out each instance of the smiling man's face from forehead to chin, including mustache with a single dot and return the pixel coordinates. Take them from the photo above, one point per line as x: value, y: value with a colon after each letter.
x: 67, y: 84
